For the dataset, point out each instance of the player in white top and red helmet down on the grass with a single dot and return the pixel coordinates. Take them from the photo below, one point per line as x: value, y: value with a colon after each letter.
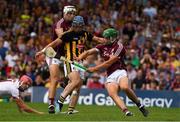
x: 13, y: 87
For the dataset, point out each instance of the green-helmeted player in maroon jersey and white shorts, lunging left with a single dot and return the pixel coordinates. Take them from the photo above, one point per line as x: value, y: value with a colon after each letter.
x: 113, y: 52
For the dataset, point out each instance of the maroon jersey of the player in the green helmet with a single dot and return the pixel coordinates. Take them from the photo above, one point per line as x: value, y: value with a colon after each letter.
x: 113, y: 49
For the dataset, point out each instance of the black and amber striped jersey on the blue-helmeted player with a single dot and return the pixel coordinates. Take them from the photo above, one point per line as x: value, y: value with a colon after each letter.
x: 75, y: 42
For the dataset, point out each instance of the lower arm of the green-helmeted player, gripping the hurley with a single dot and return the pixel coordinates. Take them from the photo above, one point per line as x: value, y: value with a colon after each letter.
x: 105, y: 64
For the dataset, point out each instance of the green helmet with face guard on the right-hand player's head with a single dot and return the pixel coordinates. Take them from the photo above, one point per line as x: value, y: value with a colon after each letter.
x: 110, y: 34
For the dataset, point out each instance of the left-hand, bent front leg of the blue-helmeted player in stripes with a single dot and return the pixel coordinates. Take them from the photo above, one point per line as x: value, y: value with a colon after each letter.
x: 75, y: 80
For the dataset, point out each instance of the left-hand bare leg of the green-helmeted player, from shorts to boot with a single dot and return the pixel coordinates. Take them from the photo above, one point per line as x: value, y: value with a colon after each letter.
x: 113, y: 89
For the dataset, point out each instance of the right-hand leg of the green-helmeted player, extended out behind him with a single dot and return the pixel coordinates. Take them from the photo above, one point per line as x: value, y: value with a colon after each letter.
x: 130, y: 93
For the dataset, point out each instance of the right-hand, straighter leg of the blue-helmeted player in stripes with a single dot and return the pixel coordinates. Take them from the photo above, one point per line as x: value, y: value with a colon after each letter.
x: 74, y: 99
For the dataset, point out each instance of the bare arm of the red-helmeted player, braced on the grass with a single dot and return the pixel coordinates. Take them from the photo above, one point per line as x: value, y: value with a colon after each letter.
x: 23, y: 107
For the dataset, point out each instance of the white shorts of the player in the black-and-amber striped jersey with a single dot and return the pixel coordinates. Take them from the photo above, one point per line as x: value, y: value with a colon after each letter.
x: 70, y: 67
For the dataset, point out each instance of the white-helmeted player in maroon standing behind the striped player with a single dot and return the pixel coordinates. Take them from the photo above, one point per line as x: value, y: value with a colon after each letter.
x: 55, y: 65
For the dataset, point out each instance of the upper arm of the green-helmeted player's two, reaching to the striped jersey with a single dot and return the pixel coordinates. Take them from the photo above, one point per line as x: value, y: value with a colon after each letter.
x: 87, y: 53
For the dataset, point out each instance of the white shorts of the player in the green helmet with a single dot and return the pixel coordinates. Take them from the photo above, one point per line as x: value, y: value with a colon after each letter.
x: 116, y: 76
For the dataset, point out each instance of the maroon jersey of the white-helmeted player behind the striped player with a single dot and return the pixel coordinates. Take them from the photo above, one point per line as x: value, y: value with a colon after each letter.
x: 60, y: 24
